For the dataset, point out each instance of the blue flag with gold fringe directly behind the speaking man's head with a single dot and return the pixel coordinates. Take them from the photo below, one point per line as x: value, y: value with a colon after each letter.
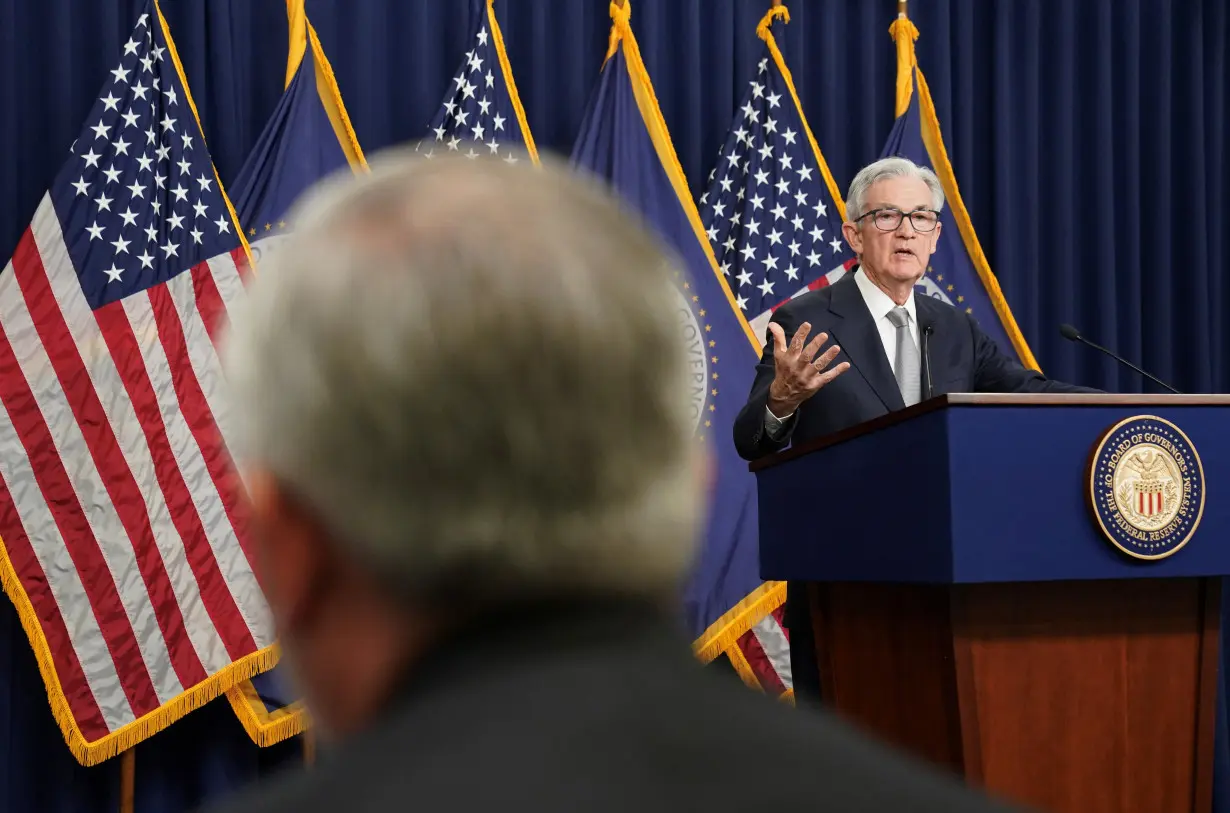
x: 960, y: 274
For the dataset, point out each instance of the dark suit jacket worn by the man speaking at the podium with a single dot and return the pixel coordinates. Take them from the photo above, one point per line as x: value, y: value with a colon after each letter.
x: 964, y: 360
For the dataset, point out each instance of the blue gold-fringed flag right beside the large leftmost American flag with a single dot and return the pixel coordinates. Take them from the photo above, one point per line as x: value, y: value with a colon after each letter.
x: 308, y: 138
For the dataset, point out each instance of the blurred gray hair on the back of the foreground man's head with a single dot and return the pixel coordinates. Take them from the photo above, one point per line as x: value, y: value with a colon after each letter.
x: 474, y: 375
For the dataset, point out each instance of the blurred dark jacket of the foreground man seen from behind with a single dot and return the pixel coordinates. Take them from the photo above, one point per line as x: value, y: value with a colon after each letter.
x: 600, y: 709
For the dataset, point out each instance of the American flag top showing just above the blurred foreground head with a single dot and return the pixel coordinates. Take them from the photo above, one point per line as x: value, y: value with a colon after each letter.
x: 483, y: 114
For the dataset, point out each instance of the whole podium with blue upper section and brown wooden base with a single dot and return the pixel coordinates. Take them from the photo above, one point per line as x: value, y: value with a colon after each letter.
x: 969, y: 607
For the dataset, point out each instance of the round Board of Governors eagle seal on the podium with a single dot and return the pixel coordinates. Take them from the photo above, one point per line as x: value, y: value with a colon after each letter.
x: 1147, y: 488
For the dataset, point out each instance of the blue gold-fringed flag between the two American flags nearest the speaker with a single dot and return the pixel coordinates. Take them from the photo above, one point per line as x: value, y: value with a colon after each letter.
x: 624, y: 141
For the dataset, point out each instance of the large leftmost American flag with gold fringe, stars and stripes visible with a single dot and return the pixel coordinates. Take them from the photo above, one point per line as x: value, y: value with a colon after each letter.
x: 122, y: 517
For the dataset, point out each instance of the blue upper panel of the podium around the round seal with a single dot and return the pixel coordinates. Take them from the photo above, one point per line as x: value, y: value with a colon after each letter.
x: 975, y: 494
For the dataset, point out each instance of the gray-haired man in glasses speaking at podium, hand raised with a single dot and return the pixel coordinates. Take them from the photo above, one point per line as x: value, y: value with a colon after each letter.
x: 890, y: 350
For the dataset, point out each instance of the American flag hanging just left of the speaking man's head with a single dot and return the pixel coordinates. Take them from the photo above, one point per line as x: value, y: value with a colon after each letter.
x: 772, y: 216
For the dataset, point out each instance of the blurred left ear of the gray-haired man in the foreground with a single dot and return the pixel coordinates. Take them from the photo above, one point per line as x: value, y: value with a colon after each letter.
x: 291, y: 549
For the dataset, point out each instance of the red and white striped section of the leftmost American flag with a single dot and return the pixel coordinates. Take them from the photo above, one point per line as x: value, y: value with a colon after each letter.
x: 120, y: 507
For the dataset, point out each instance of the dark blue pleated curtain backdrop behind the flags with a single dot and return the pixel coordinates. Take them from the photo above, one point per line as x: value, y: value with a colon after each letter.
x: 1089, y: 141
